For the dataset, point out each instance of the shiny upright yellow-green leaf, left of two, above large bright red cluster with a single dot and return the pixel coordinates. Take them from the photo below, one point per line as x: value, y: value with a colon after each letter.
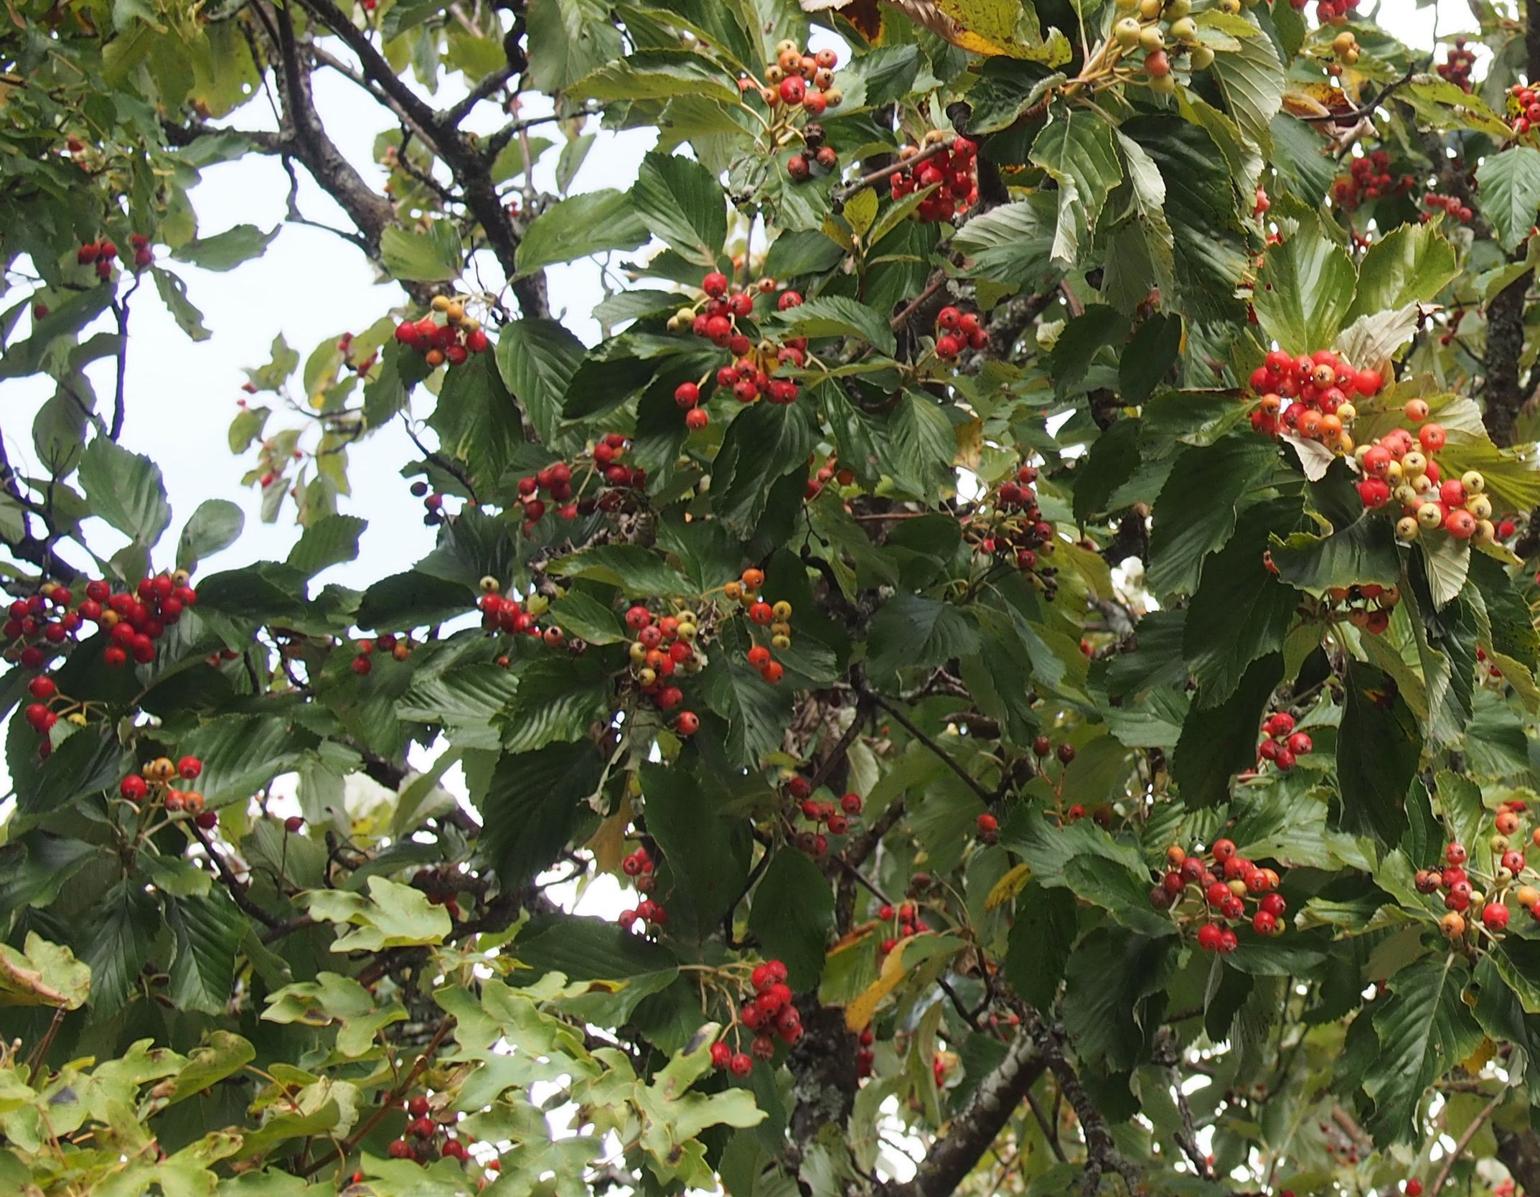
x: 1305, y: 290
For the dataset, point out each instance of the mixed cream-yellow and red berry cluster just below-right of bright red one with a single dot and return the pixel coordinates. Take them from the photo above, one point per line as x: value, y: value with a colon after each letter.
x: 1402, y: 469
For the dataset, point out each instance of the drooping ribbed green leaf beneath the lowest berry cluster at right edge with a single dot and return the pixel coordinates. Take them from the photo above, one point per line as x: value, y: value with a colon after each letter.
x: 1424, y: 1031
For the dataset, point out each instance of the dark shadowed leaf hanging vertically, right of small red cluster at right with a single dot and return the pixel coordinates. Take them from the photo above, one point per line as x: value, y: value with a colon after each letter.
x: 1378, y: 751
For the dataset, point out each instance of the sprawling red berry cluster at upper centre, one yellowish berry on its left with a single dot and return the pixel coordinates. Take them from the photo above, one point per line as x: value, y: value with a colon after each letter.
x: 754, y: 372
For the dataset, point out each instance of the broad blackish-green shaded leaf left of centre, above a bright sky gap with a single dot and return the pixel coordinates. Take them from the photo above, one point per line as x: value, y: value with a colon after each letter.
x: 534, y: 805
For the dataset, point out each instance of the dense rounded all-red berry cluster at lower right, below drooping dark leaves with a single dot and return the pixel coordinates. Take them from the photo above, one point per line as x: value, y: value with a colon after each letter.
x: 1214, y: 890
